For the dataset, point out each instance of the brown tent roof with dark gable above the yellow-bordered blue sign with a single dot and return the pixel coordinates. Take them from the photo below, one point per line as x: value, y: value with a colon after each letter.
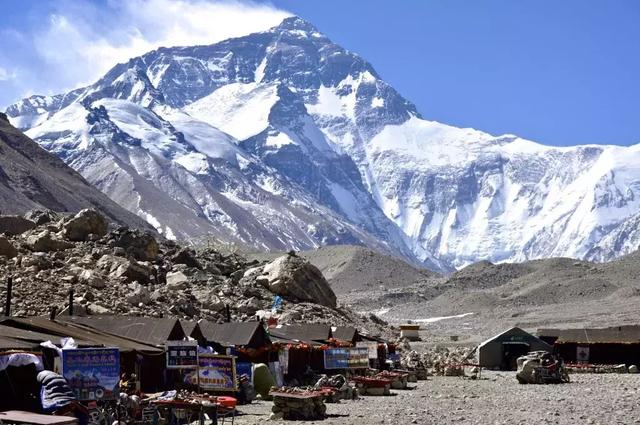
x: 238, y: 334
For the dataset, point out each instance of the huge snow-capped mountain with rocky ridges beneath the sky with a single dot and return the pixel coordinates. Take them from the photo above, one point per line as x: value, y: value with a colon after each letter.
x: 283, y: 139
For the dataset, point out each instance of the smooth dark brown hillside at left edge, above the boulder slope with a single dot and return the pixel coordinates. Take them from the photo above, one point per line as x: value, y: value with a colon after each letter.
x: 32, y: 178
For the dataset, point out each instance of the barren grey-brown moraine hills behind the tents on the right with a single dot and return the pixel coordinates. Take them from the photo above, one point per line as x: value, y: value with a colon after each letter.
x: 488, y: 298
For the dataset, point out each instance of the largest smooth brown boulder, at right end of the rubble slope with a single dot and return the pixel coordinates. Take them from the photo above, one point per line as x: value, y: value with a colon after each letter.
x: 294, y: 277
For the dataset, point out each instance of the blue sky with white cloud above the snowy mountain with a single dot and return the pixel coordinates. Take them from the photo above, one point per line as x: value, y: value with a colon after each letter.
x: 557, y: 72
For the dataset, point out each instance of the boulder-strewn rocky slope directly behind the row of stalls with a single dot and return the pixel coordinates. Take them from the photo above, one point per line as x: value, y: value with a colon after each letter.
x: 125, y: 271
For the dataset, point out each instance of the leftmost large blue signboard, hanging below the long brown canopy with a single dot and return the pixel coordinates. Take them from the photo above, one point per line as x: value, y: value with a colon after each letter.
x: 92, y: 373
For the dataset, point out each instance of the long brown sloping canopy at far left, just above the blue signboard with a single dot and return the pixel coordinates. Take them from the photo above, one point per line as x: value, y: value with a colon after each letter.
x: 86, y: 336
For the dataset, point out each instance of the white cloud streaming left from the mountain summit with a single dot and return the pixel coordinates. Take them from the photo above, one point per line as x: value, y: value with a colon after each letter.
x: 81, y: 41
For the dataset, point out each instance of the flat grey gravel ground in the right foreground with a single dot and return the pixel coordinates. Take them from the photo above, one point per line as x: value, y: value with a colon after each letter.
x: 495, y: 399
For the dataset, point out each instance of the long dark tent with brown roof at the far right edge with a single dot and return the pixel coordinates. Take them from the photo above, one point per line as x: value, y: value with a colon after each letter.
x: 613, y: 345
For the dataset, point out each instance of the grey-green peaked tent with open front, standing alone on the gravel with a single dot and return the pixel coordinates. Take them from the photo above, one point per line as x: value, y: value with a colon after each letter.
x: 503, y: 350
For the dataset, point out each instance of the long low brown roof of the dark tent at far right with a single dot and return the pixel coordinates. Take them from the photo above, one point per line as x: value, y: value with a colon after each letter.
x: 629, y: 334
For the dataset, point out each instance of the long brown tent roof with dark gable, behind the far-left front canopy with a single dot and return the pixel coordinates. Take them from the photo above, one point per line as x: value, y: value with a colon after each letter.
x: 146, y: 330
